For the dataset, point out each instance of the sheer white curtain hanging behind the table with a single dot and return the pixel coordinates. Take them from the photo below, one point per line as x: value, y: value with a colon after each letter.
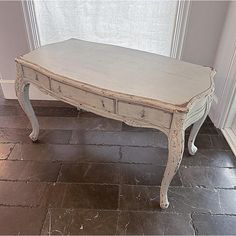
x: 141, y: 24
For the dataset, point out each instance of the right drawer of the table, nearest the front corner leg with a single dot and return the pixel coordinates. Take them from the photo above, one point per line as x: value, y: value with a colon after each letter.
x: 143, y: 113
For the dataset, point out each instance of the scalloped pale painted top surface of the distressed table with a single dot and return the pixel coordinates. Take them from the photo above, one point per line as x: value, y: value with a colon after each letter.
x: 125, y: 71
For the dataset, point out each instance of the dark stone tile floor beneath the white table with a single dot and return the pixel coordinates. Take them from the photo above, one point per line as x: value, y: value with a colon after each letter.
x: 92, y: 175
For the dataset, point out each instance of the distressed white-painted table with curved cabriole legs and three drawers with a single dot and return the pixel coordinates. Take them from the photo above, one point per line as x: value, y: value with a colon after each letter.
x: 139, y: 88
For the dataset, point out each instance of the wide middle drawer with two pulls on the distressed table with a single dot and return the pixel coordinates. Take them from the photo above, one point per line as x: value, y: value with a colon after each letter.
x: 83, y: 97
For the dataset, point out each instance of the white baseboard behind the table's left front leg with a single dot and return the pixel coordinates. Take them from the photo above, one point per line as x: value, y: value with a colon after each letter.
x: 8, y: 89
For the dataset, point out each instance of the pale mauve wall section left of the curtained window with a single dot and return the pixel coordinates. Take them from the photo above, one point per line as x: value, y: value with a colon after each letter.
x: 13, y: 37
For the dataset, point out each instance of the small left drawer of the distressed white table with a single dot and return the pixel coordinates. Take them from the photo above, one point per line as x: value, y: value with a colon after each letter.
x: 36, y: 77
